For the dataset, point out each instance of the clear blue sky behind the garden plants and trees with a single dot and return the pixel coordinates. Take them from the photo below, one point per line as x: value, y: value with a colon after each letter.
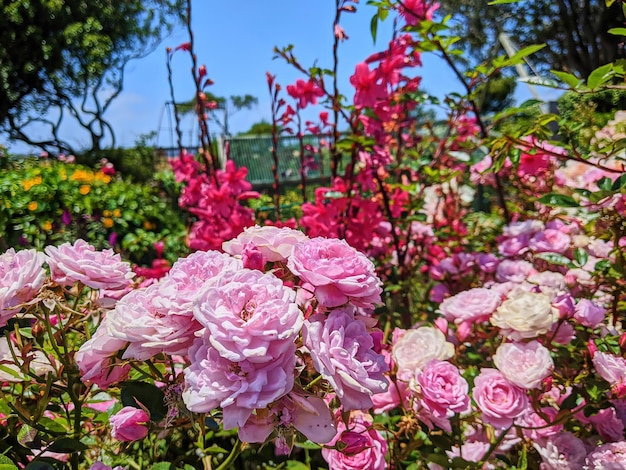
x: 235, y: 41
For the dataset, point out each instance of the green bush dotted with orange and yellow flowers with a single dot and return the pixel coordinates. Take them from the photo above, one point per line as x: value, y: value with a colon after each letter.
x: 52, y: 202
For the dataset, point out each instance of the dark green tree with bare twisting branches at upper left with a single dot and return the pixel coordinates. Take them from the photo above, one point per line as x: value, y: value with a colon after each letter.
x: 61, y: 59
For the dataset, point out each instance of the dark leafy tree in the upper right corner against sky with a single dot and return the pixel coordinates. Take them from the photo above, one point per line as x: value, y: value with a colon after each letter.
x: 575, y: 31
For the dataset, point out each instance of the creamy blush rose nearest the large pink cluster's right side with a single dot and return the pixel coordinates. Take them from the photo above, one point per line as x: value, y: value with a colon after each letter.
x: 416, y: 347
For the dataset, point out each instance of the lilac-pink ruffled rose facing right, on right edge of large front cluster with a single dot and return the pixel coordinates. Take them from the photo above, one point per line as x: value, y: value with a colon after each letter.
x: 342, y: 352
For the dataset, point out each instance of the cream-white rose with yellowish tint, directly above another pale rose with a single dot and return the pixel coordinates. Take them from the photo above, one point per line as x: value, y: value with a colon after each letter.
x: 525, y: 315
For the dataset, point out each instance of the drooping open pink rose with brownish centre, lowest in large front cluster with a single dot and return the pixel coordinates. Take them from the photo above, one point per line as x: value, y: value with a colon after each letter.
x: 306, y: 413
